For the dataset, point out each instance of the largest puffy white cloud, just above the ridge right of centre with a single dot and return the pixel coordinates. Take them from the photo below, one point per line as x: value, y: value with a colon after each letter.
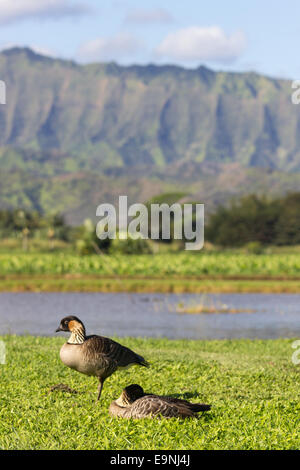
x: 201, y: 44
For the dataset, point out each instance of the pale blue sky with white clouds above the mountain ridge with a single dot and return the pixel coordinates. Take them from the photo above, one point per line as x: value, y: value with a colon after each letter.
x: 224, y: 35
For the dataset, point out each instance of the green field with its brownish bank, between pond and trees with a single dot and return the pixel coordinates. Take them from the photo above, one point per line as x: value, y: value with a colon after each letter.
x: 168, y: 272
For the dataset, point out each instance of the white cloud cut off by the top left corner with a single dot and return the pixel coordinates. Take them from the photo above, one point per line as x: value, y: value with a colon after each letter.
x: 12, y: 11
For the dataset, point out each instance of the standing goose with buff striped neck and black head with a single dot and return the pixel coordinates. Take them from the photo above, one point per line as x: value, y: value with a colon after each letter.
x: 94, y: 355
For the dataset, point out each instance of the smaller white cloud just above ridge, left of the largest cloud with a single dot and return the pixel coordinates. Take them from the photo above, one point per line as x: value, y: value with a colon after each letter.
x: 121, y: 46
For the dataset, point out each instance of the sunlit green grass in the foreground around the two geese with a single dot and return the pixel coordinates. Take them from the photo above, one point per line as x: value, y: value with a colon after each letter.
x: 253, y: 387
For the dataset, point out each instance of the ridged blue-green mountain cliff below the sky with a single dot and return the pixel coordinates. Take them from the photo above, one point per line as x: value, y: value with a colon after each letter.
x: 144, y: 121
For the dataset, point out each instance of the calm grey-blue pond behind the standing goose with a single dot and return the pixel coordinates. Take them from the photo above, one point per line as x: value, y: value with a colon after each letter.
x: 153, y: 315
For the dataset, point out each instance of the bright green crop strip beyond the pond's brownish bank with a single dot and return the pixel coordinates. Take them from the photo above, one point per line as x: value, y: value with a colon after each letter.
x: 177, y: 264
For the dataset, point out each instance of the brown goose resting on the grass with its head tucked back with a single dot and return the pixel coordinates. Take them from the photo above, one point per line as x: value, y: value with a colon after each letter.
x: 134, y: 403
